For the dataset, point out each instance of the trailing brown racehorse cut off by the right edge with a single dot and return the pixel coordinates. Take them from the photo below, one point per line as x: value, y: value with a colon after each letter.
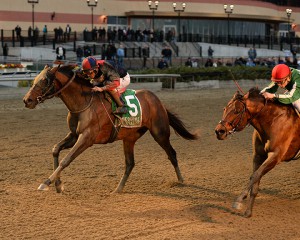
x: 275, y: 138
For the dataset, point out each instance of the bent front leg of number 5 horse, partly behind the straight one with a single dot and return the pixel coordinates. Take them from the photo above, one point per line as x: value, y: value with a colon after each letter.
x: 66, y: 143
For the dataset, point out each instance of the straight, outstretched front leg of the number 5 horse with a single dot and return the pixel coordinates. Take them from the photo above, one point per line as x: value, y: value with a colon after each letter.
x: 83, y: 142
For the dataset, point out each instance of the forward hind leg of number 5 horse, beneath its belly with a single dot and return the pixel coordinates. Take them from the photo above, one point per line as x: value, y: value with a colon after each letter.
x: 129, y: 164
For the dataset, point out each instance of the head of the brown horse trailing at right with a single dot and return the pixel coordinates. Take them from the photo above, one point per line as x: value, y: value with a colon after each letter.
x: 235, y: 116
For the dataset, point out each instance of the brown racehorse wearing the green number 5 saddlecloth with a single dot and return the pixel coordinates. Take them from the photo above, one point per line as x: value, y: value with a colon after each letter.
x: 91, y: 121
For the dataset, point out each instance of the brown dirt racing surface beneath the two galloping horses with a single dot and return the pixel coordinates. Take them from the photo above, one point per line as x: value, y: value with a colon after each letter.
x: 153, y: 205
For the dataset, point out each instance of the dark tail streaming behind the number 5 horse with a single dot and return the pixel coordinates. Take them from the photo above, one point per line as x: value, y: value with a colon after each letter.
x: 180, y: 128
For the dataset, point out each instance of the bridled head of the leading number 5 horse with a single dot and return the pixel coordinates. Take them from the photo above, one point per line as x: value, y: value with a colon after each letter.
x: 47, y: 84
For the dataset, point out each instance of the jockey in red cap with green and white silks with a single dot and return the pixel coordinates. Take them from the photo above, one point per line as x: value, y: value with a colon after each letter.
x: 287, y: 78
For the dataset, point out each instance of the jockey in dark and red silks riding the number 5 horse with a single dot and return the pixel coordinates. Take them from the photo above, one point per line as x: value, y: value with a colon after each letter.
x: 105, y: 74
